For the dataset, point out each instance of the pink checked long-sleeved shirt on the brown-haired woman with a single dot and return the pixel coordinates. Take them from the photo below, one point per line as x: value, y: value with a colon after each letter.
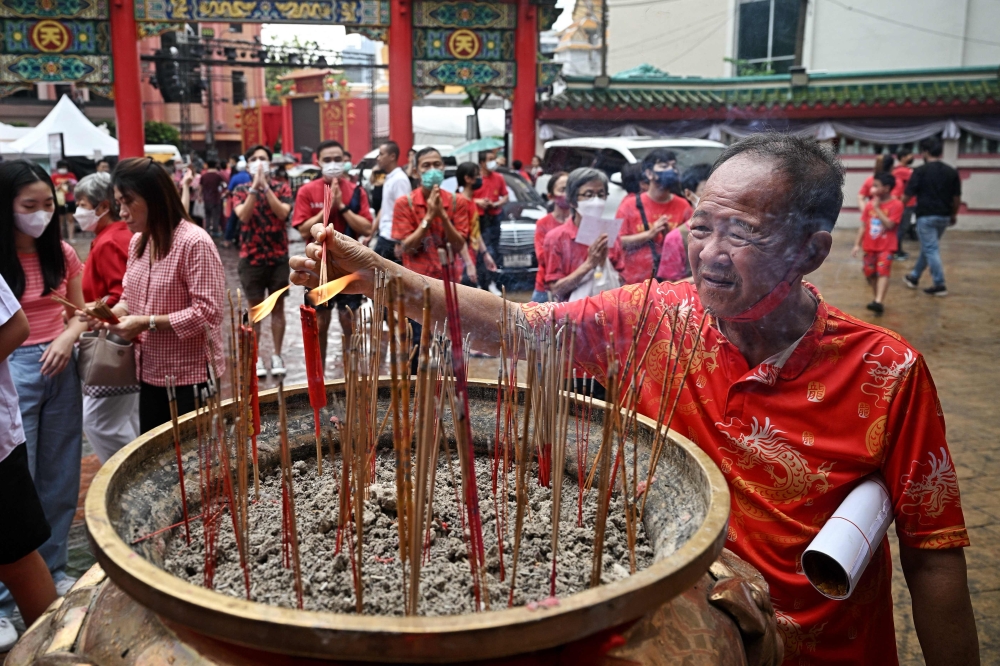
x: 189, y: 285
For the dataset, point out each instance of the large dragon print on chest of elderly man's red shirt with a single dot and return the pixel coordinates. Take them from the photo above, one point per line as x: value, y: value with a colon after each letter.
x: 788, y: 468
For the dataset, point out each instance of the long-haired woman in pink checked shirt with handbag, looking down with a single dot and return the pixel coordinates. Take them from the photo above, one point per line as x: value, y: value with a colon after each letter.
x: 173, y: 292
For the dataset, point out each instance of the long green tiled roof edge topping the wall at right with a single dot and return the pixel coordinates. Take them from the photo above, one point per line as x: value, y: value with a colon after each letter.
x: 634, y: 90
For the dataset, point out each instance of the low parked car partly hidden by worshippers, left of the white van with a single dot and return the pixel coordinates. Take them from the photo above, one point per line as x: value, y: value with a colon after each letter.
x: 516, y: 260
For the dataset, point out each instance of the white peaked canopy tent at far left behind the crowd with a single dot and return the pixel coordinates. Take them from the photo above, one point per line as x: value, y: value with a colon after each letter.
x: 81, y: 138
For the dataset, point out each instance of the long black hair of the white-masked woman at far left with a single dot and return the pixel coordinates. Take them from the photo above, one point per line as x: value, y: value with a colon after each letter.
x: 15, y: 176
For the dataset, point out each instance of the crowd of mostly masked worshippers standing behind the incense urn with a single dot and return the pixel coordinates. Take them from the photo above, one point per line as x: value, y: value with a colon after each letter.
x: 154, y: 261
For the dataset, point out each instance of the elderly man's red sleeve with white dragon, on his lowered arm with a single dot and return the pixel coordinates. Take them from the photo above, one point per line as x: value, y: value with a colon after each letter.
x: 917, y: 465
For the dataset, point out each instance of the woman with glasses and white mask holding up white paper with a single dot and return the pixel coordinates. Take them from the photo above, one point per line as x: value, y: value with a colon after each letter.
x: 569, y: 264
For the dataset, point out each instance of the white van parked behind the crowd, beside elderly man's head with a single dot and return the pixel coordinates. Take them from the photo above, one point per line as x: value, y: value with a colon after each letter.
x: 610, y: 154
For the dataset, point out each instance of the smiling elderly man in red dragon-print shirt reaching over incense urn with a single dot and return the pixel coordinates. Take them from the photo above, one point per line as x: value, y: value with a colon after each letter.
x: 795, y: 401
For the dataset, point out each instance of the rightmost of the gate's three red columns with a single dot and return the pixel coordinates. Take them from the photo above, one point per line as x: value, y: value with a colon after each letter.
x: 523, y: 112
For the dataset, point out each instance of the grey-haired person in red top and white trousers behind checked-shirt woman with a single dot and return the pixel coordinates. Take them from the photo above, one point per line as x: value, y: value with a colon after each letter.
x: 110, y: 413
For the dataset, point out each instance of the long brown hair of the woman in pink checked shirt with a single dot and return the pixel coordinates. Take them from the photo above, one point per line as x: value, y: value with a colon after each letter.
x: 145, y: 178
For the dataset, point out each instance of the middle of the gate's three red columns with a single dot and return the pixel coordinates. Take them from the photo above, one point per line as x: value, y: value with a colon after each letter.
x: 401, y: 75
